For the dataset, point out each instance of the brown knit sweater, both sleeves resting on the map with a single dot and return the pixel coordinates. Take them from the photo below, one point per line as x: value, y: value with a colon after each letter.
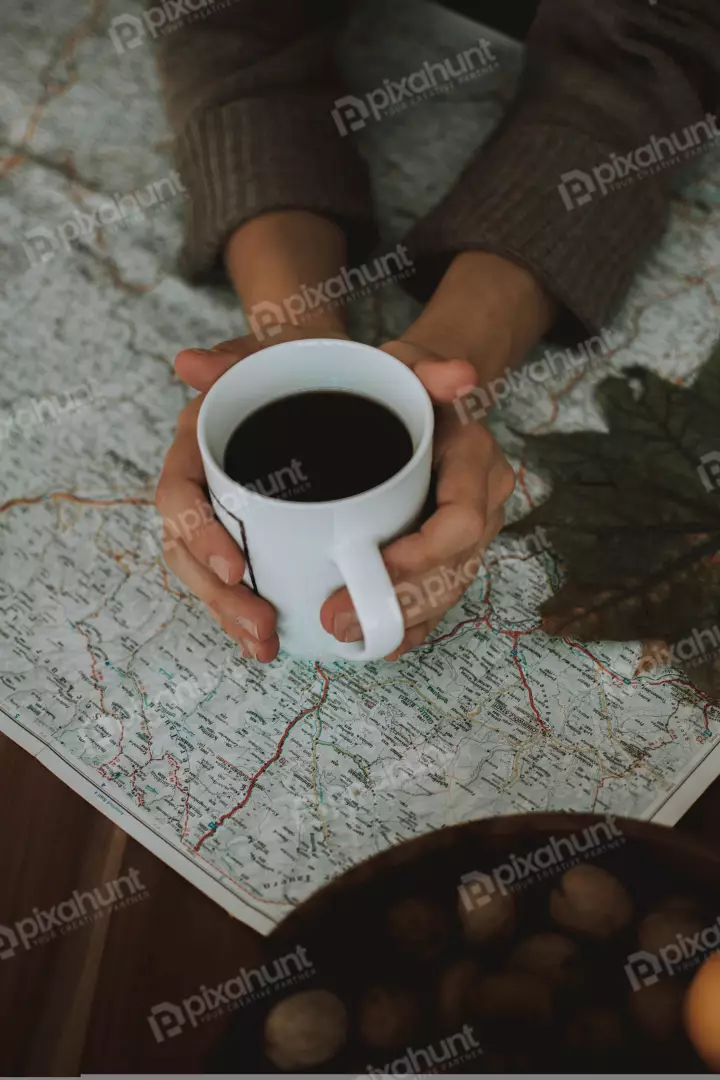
x: 251, y: 90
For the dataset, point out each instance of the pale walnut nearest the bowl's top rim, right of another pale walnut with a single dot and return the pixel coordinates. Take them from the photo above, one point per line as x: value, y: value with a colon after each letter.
x: 591, y: 901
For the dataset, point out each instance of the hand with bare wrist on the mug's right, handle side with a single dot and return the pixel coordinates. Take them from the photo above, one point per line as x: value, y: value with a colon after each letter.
x: 488, y: 313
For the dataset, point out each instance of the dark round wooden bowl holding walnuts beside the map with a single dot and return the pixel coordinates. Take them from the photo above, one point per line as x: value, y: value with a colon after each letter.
x: 354, y: 946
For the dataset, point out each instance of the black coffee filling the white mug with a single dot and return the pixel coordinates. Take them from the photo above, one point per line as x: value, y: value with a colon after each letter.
x: 318, y: 447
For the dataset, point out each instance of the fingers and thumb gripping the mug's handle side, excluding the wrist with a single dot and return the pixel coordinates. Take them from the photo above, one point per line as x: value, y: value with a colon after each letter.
x: 432, y: 569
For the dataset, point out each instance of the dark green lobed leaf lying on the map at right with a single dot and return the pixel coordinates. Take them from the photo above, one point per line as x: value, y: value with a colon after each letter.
x: 635, y: 516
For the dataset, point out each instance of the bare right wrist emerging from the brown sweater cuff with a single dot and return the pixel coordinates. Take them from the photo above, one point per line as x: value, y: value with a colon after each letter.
x: 487, y: 310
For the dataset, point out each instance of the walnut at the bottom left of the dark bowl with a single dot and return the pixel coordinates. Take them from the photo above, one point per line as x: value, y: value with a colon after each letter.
x: 306, y: 1030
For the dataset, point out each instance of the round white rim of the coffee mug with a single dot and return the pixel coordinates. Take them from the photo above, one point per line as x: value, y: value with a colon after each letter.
x: 428, y: 435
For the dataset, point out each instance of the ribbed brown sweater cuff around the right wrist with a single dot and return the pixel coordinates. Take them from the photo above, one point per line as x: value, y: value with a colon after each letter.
x: 533, y: 197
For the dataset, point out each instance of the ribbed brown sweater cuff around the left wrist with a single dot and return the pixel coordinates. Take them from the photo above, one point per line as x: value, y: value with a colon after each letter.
x: 249, y: 158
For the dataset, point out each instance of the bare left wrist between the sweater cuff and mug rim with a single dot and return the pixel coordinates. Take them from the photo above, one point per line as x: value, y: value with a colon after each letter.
x: 278, y: 264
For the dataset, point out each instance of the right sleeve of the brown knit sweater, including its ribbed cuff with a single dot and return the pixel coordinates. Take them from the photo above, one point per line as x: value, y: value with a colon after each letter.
x: 602, y: 80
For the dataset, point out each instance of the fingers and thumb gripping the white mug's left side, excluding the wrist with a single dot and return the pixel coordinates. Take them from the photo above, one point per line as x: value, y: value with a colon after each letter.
x: 196, y: 546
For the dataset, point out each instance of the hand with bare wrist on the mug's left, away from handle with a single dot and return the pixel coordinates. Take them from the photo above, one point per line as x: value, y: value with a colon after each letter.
x: 268, y: 259
